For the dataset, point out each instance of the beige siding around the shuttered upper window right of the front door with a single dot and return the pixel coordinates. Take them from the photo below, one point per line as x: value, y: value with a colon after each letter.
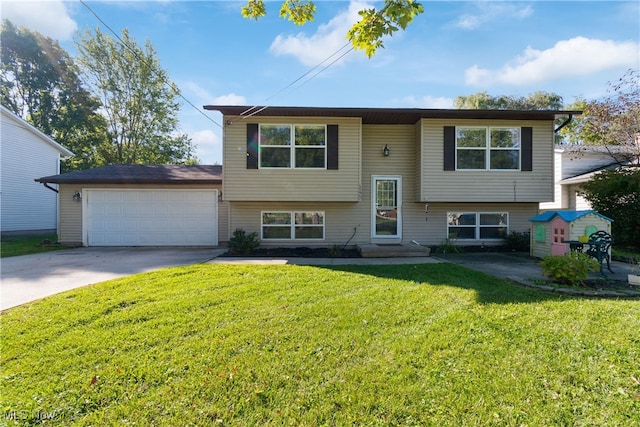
x: 486, y: 186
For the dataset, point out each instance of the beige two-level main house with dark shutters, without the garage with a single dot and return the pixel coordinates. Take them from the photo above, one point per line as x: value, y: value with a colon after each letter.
x: 303, y: 176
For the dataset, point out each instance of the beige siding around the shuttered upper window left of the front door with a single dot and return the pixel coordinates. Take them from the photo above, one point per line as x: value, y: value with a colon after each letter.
x: 242, y: 184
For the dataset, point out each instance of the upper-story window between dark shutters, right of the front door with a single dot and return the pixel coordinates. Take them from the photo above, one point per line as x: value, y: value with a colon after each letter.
x: 488, y: 148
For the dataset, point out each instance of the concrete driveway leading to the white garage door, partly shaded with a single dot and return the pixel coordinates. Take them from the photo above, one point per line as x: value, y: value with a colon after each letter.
x: 31, y: 277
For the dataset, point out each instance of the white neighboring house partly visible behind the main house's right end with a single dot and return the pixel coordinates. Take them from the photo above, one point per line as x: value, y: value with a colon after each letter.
x: 573, y: 166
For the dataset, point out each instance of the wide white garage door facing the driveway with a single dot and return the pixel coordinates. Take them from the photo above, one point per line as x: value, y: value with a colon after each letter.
x: 151, y: 217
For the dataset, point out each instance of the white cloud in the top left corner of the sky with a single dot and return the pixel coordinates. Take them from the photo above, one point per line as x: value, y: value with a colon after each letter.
x: 50, y: 18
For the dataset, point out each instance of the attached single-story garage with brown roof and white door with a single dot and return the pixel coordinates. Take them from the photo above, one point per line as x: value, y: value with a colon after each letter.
x: 142, y: 205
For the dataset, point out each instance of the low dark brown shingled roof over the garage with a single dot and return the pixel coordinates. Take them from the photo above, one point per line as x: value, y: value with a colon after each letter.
x: 140, y: 174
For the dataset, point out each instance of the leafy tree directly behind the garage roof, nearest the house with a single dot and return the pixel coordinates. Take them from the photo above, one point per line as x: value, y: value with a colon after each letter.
x: 139, y: 101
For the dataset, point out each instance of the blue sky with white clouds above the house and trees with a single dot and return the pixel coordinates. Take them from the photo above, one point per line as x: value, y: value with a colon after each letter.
x: 215, y: 56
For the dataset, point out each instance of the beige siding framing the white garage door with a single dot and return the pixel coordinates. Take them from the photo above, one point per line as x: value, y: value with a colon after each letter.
x: 70, y: 231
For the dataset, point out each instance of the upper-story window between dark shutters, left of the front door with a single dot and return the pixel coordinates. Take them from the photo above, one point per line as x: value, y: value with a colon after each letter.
x: 293, y: 146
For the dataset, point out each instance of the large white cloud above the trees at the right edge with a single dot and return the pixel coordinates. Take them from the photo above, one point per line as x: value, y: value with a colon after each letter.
x: 567, y: 58
